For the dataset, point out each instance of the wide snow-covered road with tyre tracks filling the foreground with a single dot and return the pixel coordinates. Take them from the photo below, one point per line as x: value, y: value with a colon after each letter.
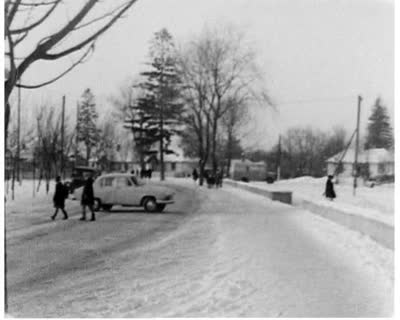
x: 215, y: 253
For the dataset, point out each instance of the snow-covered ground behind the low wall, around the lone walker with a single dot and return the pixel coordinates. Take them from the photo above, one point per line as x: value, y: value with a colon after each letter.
x: 376, y: 203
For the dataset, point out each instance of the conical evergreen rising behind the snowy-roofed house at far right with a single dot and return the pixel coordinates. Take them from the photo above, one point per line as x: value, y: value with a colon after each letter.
x: 380, y: 133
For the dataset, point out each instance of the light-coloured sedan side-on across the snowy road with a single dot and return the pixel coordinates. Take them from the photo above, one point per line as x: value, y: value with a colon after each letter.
x: 126, y: 190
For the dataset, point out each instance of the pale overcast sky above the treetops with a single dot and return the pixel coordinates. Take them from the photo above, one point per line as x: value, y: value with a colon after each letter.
x: 316, y: 55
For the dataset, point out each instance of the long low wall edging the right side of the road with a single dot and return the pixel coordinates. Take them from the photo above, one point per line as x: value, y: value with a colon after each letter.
x: 377, y: 230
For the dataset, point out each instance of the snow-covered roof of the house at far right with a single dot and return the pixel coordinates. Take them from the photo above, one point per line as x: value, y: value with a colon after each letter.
x: 377, y: 155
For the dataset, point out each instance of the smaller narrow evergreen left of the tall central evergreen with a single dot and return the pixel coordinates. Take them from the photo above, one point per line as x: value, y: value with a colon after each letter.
x: 86, y: 127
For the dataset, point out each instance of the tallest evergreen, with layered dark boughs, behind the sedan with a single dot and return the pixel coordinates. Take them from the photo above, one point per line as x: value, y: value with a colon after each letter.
x: 162, y: 85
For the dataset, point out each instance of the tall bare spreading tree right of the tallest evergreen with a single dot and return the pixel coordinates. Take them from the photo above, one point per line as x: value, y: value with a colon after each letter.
x: 218, y: 67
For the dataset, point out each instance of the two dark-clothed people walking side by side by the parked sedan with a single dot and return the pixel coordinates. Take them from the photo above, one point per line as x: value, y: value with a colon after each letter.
x: 87, y: 199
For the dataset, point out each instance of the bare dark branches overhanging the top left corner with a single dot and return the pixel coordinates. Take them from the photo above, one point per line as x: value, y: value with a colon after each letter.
x: 24, y: 20
